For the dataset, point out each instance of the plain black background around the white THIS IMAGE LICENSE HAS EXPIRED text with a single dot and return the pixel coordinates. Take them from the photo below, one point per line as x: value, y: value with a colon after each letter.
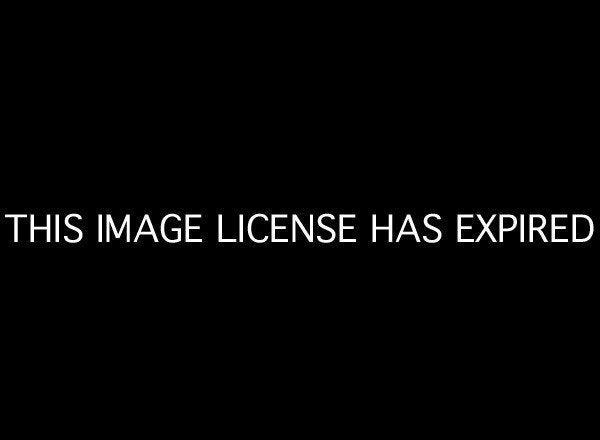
x: 368, y: 113
